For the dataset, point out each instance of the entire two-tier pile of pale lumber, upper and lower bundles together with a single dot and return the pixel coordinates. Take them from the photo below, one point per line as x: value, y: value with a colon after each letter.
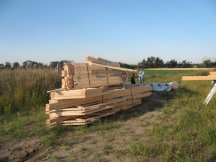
x: 92, y: 90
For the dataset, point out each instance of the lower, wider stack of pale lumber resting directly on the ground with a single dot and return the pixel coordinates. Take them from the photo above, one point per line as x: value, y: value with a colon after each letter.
x: 84, y: 106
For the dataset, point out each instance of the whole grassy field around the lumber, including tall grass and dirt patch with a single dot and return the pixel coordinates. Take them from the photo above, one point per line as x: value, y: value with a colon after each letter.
x: 171, y: 126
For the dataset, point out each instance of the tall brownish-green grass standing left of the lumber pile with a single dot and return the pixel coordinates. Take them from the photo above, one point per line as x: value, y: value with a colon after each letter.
x: 22, y: 89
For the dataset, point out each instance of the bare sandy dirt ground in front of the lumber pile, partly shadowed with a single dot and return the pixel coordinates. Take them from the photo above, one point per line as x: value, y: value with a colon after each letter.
x: 105, y: 142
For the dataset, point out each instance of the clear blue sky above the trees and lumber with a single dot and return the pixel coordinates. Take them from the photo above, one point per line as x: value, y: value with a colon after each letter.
x: 120, y: 30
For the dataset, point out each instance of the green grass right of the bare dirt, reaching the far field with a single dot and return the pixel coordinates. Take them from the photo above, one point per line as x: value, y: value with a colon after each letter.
x: 186, y: 129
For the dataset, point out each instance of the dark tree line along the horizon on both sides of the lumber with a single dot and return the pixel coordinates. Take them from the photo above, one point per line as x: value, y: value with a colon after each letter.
x: 150, y: 62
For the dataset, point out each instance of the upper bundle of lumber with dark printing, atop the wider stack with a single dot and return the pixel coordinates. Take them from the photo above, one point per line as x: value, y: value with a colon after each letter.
x: 96, y: 72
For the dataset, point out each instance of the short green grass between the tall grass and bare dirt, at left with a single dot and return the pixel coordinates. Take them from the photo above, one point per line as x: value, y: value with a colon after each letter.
x: 28, y: 124
